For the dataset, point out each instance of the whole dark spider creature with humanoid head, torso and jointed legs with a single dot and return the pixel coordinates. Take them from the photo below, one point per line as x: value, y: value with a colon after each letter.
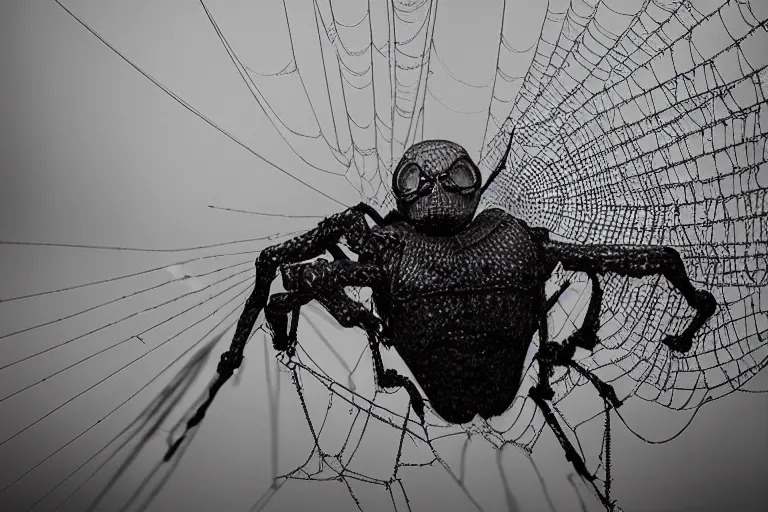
x: 459, y: 296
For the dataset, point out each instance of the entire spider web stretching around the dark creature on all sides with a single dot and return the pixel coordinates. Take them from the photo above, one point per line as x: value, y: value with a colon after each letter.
x: 633, y: 124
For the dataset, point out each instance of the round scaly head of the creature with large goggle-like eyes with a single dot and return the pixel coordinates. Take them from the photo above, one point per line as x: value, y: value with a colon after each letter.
x: 437, y: 186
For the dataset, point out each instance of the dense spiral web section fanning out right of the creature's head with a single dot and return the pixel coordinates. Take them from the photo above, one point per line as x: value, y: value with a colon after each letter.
x: 655, y: 135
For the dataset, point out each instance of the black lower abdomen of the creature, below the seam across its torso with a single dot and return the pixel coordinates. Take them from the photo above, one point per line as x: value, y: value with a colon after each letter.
x: 466, y: 351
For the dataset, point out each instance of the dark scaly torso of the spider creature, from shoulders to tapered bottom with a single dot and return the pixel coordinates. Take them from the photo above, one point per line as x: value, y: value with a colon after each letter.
x: 462, y: 305
